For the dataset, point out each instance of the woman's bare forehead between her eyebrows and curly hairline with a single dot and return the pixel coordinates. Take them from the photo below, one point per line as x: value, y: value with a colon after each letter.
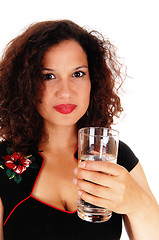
x: 67, y: 51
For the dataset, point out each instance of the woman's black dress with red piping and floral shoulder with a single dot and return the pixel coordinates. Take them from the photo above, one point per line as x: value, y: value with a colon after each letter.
x: 26, y: 217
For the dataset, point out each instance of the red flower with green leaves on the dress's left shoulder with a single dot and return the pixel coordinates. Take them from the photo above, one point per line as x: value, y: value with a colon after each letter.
x: 15, y: 164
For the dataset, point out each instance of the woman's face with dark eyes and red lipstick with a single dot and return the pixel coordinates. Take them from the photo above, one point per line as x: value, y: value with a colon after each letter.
x: 67, y: 85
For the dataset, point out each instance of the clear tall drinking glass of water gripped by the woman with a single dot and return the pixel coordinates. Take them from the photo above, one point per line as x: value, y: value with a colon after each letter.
x: 96, y: 144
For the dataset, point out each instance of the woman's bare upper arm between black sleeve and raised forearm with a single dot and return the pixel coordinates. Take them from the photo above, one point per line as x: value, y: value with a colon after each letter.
x: 139, y: 176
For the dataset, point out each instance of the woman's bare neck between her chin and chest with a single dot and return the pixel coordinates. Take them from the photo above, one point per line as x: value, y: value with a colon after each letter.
x: 58, y: 138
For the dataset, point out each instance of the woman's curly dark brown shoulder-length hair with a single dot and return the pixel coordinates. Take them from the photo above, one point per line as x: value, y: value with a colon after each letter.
x: 21, y: 80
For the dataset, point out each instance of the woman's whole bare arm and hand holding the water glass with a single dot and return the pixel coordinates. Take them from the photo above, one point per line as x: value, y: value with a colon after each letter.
x: 122, y: 192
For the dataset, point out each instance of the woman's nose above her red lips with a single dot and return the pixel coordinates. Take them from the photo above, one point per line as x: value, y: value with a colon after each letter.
x: 64, y: 90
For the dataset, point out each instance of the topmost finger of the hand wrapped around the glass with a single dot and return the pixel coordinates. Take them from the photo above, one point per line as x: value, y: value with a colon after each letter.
x: 102, y: 166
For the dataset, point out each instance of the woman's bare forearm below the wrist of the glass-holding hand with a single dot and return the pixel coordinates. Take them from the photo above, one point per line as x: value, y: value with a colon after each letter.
x: 144, y: 222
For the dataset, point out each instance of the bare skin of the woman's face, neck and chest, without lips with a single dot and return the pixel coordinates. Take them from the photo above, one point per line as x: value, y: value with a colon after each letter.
x: 67, y: 68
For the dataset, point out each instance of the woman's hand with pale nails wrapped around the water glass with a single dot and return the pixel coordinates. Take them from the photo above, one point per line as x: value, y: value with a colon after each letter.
x: 108, y: 185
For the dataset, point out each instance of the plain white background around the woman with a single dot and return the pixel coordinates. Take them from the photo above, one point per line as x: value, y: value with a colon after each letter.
x: 133, y: 26
